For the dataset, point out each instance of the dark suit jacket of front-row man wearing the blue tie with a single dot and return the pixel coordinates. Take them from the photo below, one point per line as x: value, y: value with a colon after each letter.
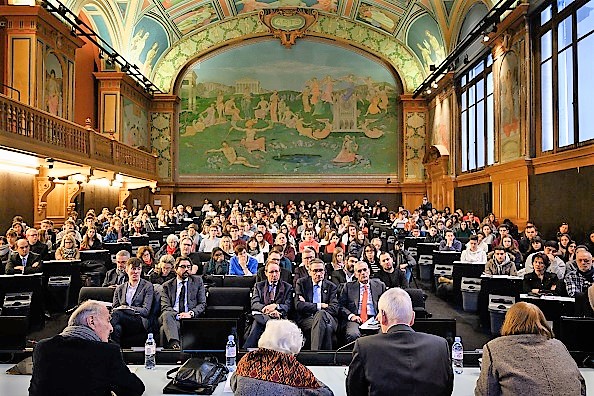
x: 307, y: 308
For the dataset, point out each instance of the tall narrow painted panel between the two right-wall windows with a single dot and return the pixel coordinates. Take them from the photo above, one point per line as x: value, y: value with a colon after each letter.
x: 509, y: 107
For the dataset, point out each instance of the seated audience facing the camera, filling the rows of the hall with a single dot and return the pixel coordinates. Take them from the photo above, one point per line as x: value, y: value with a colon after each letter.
x: 312, y: 263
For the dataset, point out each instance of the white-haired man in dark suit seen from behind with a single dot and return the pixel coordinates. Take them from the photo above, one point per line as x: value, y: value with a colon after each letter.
x: 399, y: 361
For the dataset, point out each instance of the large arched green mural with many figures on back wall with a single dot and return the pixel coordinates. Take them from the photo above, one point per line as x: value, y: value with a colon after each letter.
x: 315, y: 108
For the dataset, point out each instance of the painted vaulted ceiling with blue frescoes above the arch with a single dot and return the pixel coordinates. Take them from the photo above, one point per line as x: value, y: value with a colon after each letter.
x: 143, y: 30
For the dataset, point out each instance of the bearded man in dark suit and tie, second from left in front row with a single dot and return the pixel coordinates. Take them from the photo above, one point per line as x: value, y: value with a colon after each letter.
x: 182, y: 298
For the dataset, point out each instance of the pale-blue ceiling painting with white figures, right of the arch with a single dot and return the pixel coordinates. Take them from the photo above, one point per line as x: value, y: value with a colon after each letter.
x: 424, y: 38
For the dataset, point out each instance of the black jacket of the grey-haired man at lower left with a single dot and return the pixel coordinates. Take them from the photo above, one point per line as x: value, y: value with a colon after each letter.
x: 73, y: 366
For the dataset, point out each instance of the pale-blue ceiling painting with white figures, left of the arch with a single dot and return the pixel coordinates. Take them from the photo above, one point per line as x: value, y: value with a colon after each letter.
x: 148, y: 42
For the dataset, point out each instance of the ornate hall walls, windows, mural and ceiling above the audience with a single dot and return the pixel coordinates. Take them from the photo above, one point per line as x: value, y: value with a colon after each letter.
x: 476, y: 104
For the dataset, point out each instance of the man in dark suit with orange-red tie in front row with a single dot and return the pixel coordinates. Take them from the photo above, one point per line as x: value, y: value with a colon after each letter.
x: 358, y: 300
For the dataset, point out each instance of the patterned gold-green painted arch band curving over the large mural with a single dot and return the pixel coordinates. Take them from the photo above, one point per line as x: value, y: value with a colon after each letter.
x: 188, y: 49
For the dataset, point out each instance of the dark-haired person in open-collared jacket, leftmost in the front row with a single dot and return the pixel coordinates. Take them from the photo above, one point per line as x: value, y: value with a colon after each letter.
x: 132, y: 302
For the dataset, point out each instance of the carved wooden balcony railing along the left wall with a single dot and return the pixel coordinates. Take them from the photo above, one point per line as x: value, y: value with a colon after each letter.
x: 41, y: 127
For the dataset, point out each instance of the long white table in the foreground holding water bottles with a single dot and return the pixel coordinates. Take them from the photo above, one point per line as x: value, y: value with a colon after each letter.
x: 333, y: 376
